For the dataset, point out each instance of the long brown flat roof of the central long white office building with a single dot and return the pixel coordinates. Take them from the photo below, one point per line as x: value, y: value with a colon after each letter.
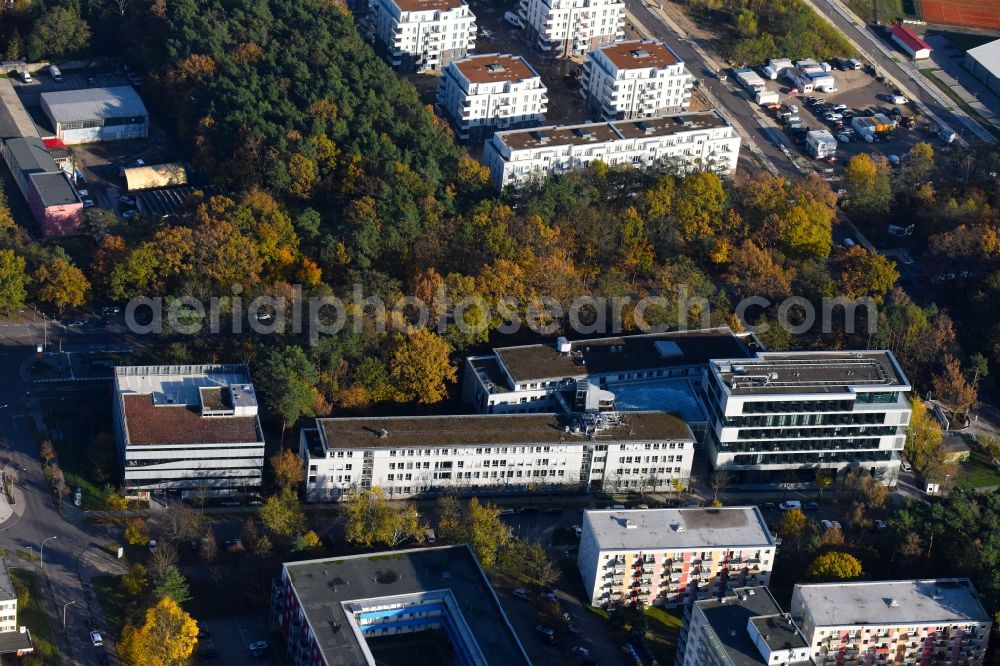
x: 487, y: 430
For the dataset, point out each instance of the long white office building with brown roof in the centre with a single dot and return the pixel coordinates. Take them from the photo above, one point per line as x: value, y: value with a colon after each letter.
x: 410, y: 456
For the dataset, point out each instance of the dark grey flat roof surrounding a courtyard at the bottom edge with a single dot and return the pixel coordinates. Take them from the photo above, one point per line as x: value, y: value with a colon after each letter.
x: 324, y: 586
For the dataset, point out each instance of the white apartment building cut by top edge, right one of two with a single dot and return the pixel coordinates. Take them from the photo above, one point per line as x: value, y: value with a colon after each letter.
x: 572, y: 27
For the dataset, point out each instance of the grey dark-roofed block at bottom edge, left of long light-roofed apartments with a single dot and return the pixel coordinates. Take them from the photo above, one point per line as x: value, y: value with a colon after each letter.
x: 747, y: 628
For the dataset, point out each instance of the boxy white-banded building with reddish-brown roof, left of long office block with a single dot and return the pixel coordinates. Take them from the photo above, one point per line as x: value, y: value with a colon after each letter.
x: 188, y: 428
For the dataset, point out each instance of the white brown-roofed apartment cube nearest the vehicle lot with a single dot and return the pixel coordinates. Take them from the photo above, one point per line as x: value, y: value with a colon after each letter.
x: 635, y: 79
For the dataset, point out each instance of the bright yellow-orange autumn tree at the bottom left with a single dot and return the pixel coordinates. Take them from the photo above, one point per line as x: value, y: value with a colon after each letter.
x: 166, y: 638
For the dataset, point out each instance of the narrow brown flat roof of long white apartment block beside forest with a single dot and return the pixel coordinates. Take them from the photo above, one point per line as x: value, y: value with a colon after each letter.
x: 603, y: 132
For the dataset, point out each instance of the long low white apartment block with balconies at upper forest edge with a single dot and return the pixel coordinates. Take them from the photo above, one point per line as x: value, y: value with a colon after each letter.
x: 701, y: 140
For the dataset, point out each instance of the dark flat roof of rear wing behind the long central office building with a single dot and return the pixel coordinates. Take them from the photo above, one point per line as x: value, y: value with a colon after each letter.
x: 622, y: 354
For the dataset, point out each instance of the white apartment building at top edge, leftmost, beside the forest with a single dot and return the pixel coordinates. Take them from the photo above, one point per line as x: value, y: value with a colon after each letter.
x: 423, y: 35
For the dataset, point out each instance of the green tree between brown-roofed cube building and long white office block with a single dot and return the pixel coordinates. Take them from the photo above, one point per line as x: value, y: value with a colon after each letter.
x: 289, y: 381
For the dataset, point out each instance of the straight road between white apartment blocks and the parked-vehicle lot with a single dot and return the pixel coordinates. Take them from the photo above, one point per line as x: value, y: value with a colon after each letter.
x: 732, y: 98
